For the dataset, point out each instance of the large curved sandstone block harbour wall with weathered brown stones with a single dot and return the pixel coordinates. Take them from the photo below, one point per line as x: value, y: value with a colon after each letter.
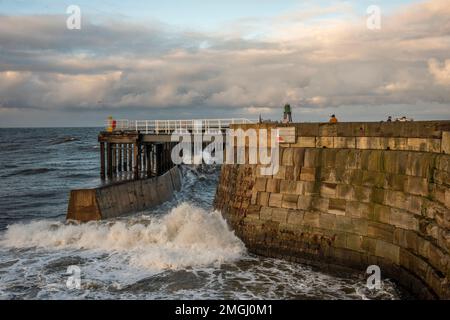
x: 382, y: 198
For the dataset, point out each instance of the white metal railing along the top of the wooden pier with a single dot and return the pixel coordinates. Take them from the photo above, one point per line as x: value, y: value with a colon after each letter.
x: 169, y: 126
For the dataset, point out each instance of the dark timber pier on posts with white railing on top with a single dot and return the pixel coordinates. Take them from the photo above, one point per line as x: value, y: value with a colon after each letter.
x: 137, y: 149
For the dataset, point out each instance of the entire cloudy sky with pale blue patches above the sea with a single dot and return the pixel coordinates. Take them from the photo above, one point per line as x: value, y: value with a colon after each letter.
x: 222, y: 59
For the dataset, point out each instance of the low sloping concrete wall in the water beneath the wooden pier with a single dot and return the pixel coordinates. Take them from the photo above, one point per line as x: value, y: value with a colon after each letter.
x: 126, y: 197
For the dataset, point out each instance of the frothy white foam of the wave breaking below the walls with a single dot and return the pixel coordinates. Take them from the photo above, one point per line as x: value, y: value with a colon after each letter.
x: 186, y: 236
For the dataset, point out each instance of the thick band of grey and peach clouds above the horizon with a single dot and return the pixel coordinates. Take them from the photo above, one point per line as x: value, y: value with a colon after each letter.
x: 308, y: 62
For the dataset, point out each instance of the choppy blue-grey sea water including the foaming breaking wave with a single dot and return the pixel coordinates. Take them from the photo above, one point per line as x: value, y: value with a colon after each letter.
x: 179, y: 250
